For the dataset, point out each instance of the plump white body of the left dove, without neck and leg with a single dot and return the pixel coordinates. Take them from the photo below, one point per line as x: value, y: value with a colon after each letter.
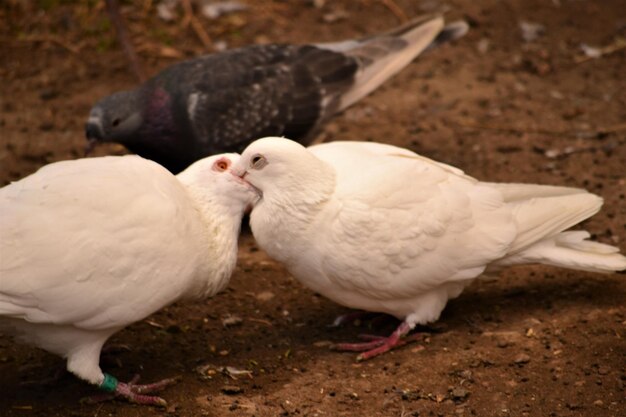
x: 81, y: 242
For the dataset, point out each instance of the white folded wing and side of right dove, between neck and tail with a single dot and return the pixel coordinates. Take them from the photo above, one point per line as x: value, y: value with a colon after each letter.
x: 405, y: 224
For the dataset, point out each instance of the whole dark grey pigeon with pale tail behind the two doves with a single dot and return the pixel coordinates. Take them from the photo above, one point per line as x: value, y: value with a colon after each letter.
x: 221, y: 102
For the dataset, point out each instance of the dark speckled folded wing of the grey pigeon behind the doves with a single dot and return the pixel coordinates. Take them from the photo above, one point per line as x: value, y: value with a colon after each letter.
x: 236, y: 96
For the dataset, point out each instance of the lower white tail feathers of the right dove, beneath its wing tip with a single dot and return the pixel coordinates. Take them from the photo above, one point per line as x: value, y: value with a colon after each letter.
x: 572, y: 250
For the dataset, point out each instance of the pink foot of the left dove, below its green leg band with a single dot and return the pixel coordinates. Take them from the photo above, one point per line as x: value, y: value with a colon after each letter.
x: 132, y: 392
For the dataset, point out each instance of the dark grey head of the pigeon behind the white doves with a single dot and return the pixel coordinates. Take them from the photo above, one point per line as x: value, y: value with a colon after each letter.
x: 115, y: 118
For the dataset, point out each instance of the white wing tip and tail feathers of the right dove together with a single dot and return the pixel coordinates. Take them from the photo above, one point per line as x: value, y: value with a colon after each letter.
x: 542, y: 214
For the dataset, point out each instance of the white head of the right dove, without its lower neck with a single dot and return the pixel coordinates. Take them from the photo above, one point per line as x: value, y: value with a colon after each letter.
x: 285, y: 171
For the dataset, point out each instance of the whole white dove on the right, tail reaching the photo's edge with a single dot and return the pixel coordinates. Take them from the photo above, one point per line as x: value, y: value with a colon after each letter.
x: 382, y: 229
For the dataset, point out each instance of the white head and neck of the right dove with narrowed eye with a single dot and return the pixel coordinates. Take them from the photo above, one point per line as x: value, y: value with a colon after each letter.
x: 294, y: 187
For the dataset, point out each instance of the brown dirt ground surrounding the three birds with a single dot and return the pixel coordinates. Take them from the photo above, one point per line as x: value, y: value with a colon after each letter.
x: 537, y: 341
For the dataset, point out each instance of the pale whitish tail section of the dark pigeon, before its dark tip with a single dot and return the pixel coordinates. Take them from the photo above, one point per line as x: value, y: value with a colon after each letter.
x: 384, y: 56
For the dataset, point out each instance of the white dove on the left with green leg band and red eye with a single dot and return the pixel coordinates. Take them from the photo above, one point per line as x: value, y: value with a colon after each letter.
x: 90, y: 246
